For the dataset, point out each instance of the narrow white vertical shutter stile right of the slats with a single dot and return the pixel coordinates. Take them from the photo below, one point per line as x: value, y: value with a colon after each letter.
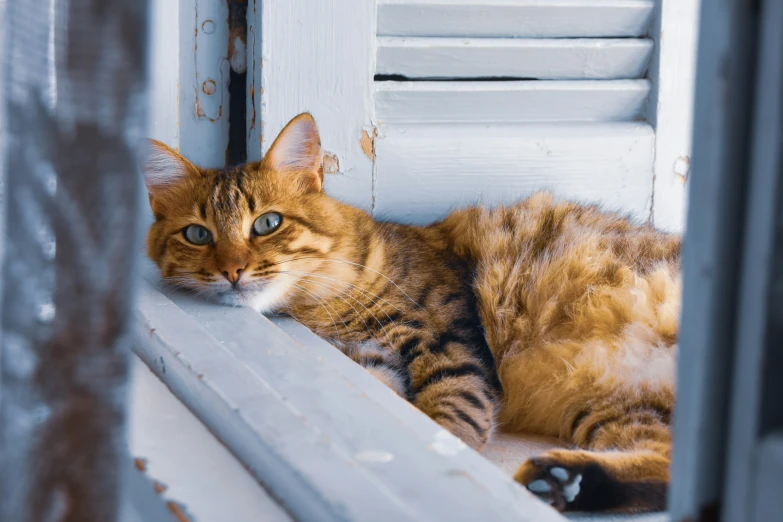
x: 674, y: 76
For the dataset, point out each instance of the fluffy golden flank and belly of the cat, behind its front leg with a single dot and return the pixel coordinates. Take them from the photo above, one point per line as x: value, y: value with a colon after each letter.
x: 579, y: 308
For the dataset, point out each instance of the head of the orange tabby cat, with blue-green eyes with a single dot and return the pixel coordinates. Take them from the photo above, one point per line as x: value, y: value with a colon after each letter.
x: 255, y: 235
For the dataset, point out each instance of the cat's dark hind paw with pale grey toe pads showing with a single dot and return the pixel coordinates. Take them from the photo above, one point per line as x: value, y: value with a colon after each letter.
x: 553, y: 482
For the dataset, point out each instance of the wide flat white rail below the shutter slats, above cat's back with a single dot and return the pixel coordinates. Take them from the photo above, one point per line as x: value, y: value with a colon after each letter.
x: 424, y: 171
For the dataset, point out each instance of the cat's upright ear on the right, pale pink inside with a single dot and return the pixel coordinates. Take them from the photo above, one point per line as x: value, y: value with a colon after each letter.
x: 297, y: 153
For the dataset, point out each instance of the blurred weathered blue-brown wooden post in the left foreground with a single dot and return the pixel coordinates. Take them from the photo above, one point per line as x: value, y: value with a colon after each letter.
x: 75, y: 108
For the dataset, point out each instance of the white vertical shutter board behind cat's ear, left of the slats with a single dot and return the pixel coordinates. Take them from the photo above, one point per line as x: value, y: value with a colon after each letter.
x: 320, y: 57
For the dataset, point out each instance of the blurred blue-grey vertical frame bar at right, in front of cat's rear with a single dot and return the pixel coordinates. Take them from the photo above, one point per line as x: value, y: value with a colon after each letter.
x: 711, y: 255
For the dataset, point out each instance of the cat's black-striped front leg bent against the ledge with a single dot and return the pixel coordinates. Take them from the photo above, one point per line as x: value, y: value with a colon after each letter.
x: 452, y: 386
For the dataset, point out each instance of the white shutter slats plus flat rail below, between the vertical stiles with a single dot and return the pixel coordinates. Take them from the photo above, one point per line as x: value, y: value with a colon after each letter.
x: 488, y: 101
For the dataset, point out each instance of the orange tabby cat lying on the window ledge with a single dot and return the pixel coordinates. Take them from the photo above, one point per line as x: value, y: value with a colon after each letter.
x: 545, y: 317
